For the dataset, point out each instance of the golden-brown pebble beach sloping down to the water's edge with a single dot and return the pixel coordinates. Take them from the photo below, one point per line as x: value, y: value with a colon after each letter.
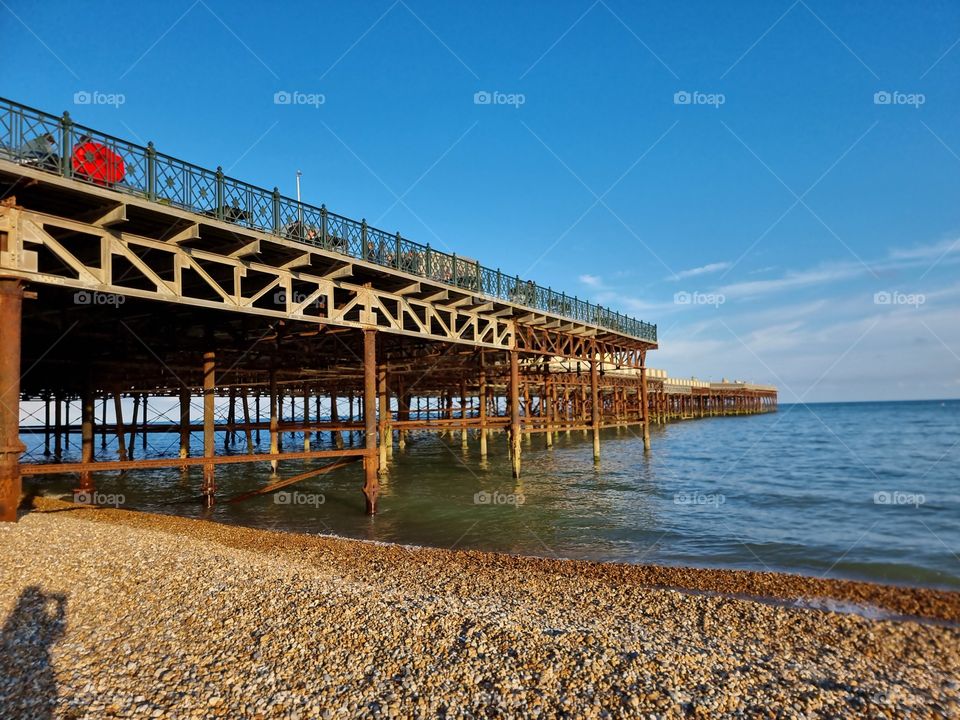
x: 110, y: 613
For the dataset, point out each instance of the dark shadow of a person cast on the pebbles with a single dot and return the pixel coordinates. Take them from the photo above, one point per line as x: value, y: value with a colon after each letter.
x: 28, y: 684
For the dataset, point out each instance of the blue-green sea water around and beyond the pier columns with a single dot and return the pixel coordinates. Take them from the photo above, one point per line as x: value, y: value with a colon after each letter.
x: 865, y: 490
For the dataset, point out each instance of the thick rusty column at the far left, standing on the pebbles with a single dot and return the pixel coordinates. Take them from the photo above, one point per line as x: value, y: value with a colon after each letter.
x: 11, y: 309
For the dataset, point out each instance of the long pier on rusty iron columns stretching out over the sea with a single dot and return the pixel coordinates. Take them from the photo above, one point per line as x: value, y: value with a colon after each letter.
x: 128, y: 276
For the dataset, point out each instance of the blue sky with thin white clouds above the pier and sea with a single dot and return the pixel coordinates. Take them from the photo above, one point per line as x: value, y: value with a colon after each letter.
x: 774, y: 184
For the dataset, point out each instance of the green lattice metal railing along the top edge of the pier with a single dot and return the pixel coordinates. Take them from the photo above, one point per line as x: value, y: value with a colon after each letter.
x: 35, y: 138
